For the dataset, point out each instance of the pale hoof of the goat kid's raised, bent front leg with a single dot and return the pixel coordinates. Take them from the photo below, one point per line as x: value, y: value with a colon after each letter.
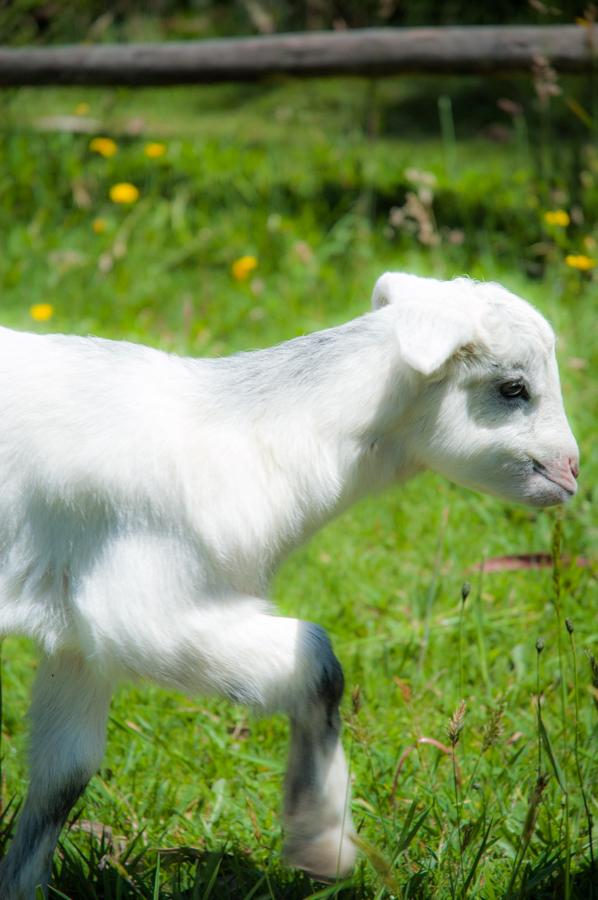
x: 326, y: 857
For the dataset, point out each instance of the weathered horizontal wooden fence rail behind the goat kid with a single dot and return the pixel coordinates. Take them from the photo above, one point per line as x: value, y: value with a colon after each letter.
x: 375, y: 51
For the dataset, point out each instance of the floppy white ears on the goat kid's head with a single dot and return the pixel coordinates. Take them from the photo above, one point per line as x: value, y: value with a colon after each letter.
x: 431, y: 325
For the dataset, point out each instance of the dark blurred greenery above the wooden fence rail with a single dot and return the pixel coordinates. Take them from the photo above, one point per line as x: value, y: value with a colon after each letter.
x: 60, y: 21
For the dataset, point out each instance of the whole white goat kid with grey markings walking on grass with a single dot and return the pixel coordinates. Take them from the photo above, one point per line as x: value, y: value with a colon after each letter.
x: 146, y: 499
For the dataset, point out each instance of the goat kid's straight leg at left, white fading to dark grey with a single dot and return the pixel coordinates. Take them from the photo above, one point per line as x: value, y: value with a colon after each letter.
x: 68, y: 724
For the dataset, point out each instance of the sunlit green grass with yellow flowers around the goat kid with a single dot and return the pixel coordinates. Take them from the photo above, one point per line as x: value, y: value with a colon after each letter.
x: 253, y: 215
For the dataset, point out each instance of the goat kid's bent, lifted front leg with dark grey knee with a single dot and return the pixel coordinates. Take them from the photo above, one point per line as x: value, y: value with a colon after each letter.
x: 271, y: 663
